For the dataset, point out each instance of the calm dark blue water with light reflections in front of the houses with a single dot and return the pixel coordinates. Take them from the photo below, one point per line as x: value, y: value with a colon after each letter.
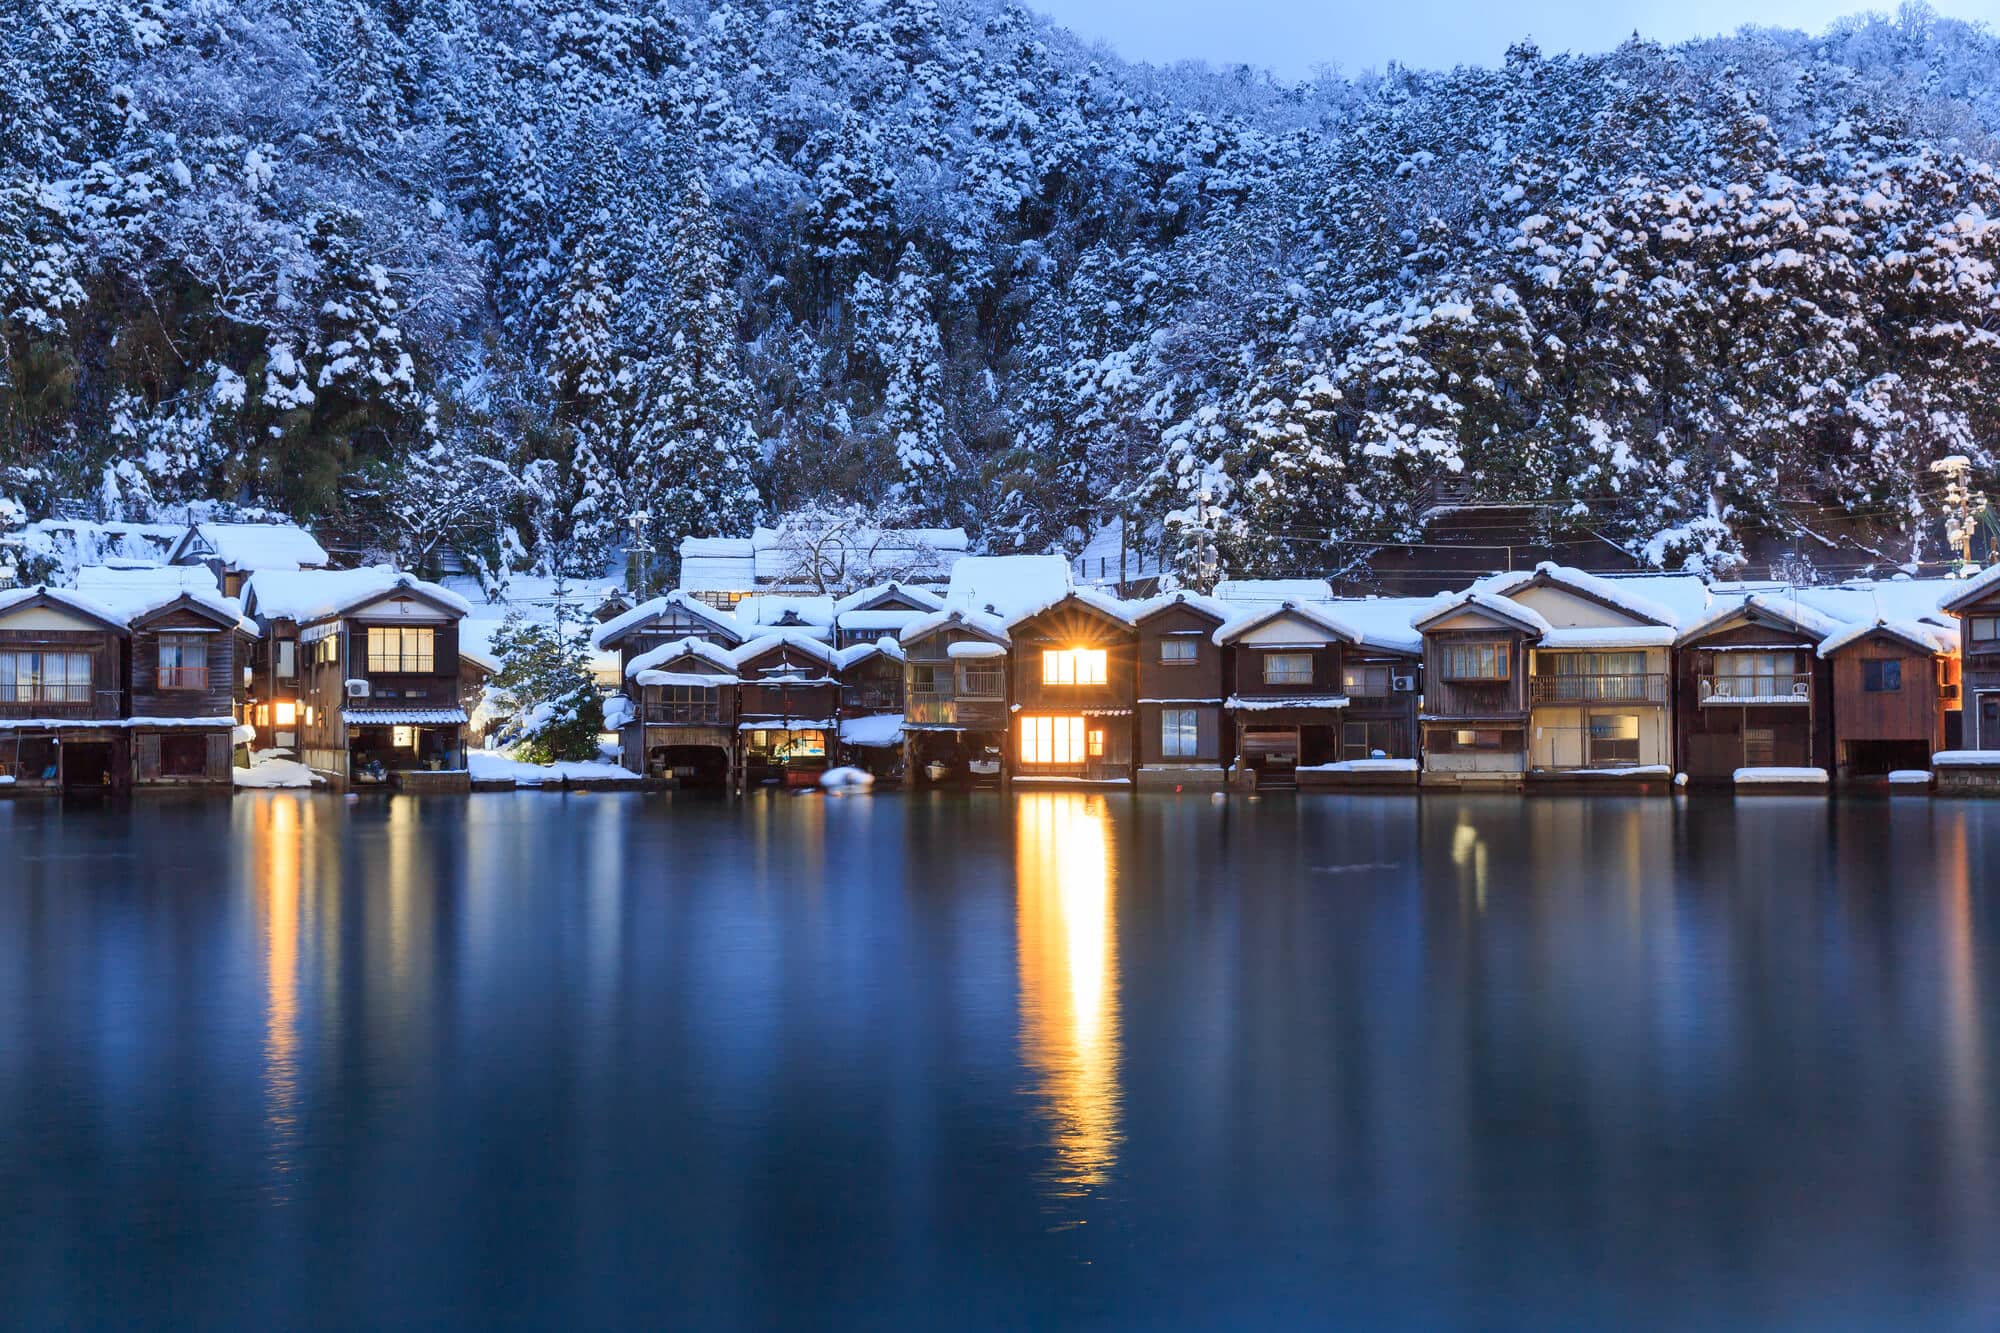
x: 995, y: 1062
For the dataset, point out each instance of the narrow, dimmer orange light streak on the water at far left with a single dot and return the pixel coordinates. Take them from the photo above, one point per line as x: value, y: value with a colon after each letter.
x: 281, y: 836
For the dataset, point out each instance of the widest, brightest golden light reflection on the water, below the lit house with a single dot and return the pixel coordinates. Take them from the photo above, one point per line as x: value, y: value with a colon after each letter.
x: 1067, y: 952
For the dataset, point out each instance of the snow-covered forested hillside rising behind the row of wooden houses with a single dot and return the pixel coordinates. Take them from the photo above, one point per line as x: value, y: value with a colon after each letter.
x: 495, y: 279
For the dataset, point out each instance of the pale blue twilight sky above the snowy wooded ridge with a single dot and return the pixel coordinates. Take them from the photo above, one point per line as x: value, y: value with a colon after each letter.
x: 1293, y: 37
